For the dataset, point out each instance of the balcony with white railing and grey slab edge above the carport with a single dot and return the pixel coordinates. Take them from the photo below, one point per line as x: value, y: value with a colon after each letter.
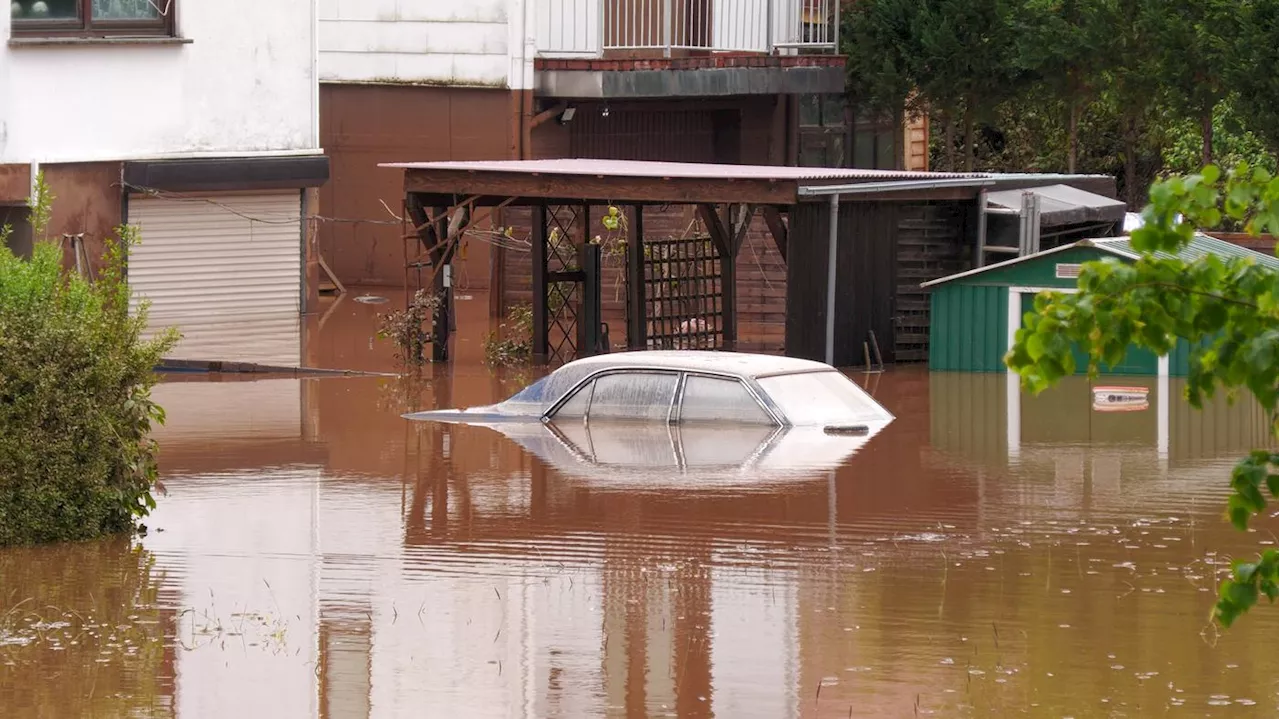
x: 605, y: 49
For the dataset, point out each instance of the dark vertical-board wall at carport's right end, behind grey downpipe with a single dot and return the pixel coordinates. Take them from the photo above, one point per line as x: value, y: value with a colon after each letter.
x: 866, y: 282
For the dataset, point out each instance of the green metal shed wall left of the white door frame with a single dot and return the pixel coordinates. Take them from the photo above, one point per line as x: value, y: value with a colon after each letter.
x: 970, y: 328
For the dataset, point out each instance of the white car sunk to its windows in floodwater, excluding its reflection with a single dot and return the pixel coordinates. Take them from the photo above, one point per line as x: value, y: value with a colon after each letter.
x: 678, y: 387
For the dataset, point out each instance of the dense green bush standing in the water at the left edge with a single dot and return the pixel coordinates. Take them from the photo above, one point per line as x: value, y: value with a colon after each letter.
x: 76, y: 377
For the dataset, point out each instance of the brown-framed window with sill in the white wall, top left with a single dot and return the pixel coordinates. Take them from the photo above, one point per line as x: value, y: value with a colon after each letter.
x: 93, y: 19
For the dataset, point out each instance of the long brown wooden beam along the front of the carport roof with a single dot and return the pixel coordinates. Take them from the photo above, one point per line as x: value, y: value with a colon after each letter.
x: 601, y: 190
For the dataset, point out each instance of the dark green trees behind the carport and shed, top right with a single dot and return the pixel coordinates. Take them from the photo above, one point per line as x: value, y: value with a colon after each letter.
x: 1128, y: 88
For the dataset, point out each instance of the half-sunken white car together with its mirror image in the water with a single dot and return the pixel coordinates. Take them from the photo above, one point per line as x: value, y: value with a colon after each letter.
x: 644, y: 418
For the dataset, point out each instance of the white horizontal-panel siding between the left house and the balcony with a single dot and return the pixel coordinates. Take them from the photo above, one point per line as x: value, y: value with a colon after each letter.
x: 459, y: 43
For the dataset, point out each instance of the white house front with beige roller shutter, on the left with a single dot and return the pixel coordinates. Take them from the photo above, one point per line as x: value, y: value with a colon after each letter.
x: 195, y: 122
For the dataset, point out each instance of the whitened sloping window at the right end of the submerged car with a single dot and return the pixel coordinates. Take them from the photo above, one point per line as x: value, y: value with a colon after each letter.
x: 822, y: 399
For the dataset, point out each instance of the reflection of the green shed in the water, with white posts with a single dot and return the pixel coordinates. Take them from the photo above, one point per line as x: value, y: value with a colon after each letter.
x: 985, y: 419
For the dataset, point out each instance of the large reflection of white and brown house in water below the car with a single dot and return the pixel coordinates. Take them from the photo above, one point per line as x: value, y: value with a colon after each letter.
x: 422, y: 566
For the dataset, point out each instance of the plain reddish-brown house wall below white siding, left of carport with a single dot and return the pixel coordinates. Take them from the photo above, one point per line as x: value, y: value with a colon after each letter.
x: 363, y: 126
